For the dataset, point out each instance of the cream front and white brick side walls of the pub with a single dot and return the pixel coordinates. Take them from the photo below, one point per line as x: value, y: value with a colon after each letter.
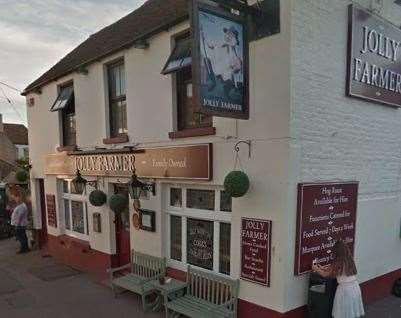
x: 302, y: 128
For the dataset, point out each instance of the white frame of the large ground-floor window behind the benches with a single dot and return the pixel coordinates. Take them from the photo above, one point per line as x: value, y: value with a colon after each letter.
x: 216, y: 216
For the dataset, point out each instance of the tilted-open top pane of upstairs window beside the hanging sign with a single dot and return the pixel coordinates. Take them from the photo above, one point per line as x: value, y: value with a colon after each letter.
x: 180, y: 57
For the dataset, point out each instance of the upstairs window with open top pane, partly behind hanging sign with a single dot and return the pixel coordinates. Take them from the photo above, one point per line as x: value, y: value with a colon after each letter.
x: 179, y: 62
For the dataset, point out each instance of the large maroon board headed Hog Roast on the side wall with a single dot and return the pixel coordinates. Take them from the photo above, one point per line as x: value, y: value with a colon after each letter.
x: 326, y: 213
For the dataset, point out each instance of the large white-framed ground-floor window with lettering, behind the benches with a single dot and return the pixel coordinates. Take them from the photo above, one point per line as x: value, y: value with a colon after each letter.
x: 199, y: 231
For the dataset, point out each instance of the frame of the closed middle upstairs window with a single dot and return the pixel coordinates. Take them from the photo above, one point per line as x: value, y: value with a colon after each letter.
x: 112, y: 133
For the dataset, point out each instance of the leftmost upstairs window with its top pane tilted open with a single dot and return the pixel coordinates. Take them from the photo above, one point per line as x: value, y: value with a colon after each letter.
x: 65, y: 103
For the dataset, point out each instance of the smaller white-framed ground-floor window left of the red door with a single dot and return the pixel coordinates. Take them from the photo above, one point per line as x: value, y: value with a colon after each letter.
x: 75, y: 212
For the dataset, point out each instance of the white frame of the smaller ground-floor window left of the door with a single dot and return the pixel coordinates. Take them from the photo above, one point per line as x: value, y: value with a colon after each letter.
x: 79, y: 198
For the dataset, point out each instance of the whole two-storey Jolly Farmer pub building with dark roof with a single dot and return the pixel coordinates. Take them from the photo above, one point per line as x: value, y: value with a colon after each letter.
x: 301, y: 96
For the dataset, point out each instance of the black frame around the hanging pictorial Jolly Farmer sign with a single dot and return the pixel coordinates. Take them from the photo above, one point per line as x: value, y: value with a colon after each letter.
x: 195, y: 7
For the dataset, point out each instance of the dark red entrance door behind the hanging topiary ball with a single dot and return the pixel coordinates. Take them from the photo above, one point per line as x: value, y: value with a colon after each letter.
x: 122, y: 223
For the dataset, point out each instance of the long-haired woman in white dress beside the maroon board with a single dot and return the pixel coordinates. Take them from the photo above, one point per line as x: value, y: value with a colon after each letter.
x: 348, y: 299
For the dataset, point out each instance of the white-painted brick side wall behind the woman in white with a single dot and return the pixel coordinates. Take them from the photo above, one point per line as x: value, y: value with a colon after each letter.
x: 337, y: 137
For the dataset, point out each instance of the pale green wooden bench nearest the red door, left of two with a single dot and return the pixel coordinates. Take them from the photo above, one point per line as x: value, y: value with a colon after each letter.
x: 143, y: 269
